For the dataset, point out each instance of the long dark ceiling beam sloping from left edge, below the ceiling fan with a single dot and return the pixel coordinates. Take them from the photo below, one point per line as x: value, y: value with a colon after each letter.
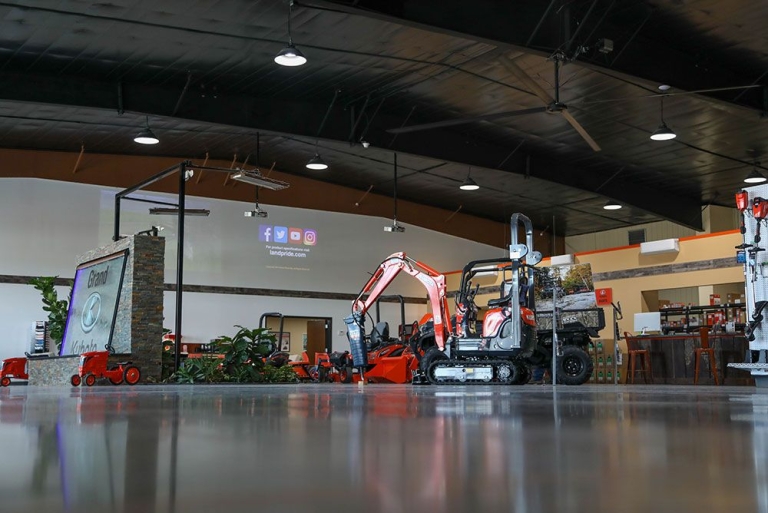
x: 302, y: 119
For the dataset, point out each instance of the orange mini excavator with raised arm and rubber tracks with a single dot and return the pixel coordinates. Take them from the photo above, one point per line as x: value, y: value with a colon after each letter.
x: 452, y: 350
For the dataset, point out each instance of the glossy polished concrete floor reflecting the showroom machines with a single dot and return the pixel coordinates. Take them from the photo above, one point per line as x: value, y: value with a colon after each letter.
x: 383, y: 448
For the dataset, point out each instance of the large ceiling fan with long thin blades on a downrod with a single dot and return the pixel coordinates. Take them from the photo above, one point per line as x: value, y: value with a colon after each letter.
x: 551, y: 105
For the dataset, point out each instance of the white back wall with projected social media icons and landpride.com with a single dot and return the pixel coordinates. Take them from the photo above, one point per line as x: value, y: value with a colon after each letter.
x: 46, y: 224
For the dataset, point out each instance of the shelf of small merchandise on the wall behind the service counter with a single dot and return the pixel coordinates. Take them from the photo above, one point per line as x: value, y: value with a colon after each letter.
x: 690, y: 318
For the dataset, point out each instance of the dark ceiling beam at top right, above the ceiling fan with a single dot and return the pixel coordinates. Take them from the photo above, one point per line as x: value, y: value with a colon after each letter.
x: 510, y: 25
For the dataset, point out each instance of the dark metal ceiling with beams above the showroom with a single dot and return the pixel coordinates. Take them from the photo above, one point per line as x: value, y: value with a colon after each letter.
x: 78, y: 72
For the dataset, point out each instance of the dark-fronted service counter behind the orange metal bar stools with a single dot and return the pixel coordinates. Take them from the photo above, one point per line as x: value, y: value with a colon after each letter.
x: 672, y: 358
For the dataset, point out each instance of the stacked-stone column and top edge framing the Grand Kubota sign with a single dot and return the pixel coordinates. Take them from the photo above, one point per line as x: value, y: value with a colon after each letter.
x: 139, y: 320
